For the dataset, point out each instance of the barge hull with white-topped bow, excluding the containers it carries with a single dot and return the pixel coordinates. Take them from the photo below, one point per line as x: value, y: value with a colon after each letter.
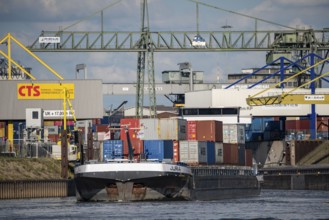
x: 117, y: 181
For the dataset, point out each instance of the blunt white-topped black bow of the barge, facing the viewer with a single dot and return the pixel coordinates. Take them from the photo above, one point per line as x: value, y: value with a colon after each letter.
x: 119, y: 180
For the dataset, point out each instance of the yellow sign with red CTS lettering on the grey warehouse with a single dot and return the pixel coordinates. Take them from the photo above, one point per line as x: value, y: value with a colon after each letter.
x: 44, y: 91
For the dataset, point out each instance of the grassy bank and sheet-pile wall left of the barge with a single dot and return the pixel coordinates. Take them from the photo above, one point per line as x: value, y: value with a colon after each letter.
x: 33, y: 178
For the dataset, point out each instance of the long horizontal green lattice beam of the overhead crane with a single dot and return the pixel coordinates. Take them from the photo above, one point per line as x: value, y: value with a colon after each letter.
x: 181, y: 41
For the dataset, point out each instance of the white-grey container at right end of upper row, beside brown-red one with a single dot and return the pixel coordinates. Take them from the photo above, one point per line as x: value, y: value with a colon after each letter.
x: 234, y: 133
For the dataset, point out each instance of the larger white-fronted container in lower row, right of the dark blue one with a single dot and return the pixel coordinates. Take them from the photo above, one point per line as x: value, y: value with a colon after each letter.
x: 193, y: 152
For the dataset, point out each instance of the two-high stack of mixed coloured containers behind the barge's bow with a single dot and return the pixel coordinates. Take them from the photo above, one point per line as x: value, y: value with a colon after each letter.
x: 207, y: 142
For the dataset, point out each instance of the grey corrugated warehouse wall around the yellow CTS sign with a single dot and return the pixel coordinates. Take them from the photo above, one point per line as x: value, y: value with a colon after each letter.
x: 88, y: 101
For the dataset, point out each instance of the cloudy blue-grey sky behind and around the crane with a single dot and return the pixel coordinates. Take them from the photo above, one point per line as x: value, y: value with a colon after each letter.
x: 26, y: 19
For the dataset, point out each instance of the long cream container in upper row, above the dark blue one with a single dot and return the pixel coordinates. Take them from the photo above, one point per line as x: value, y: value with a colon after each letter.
x: 163, y: 129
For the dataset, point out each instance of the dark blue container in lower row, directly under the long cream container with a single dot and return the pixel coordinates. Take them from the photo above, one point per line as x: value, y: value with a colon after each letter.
x: 158, y: 149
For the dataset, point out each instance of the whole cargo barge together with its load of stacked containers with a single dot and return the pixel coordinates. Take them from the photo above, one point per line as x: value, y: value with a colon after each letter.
x: 159, y: 174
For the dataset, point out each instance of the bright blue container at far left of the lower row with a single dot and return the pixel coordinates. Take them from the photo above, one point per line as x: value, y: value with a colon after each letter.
x: 112, y: 149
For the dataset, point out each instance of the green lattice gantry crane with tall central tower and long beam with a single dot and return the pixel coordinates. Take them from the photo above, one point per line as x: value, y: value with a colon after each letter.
x: 148, y: 42
